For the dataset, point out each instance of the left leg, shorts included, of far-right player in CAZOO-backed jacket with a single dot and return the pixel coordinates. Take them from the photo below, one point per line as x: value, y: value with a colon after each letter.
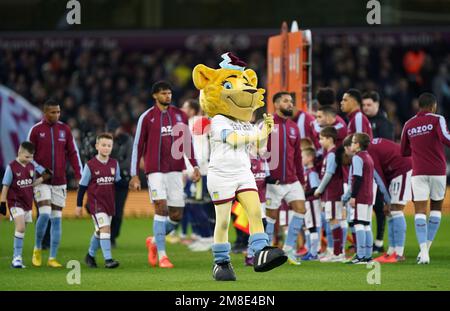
x: 421, y: 193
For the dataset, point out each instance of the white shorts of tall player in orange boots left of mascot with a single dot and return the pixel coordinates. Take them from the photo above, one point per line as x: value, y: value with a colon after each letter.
x: 166, y: 186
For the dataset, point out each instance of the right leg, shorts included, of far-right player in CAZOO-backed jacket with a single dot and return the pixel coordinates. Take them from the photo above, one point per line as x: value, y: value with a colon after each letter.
x: 438, y: 188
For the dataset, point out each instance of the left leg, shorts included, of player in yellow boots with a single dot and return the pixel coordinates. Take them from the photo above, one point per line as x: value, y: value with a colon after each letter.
x: 42, y: 195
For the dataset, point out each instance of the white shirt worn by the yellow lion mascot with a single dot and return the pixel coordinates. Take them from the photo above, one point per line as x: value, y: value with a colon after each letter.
x: 226, y: 160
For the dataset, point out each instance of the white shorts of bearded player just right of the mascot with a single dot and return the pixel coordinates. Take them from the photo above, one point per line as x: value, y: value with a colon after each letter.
x: 288, y: 192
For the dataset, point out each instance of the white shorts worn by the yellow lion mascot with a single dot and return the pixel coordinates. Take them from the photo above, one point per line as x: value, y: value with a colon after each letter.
x: 223, y: 189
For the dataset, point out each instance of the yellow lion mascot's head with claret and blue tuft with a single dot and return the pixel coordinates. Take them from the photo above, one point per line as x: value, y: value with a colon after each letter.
x: 230, y: 90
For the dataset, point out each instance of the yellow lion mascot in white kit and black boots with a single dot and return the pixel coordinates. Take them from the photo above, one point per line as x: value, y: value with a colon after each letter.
x: 229, y: 96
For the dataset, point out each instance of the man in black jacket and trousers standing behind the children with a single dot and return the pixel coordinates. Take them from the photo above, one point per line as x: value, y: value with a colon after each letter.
x: 381, y: 128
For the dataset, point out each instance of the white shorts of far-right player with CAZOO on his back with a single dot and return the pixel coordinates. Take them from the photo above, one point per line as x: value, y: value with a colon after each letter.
x: 426, y: 187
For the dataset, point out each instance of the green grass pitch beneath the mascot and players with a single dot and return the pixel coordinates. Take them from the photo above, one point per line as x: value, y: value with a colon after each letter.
x: 193, y: 270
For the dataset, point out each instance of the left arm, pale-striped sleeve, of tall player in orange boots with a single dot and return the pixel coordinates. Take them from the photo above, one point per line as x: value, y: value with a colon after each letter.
x: 139, y: 143
